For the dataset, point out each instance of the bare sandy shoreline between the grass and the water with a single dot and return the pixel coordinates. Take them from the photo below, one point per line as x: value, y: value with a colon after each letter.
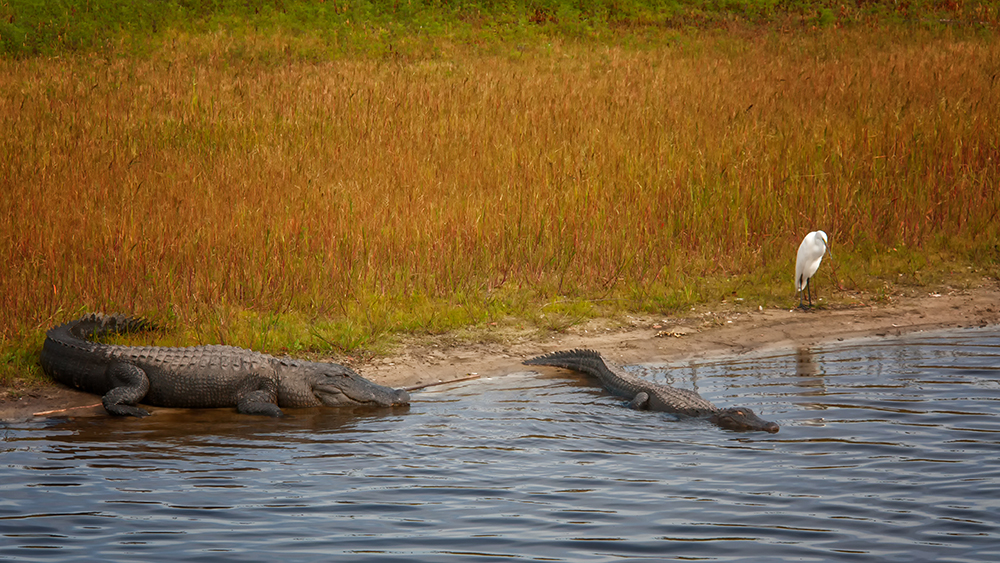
x: 701, y: 334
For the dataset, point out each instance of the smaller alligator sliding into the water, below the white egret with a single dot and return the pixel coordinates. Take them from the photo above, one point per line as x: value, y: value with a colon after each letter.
x: 645, y: 395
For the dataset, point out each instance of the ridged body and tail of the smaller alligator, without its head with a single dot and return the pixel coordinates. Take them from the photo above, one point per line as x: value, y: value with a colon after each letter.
x: 619, y: 382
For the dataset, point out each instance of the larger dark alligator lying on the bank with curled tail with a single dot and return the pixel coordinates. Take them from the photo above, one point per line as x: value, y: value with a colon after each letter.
x: 197, y: 377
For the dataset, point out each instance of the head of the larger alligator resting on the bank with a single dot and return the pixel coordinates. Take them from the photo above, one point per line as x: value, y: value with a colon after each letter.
x: 335, y: 385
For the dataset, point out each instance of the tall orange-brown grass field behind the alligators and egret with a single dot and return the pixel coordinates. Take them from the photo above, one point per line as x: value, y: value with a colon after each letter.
x: 286, y: 190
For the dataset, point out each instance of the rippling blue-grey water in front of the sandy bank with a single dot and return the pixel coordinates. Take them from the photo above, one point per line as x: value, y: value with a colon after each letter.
x: 887, y: 452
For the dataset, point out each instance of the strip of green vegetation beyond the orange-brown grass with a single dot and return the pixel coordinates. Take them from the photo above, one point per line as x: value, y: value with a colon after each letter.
x: 321, y: 28
